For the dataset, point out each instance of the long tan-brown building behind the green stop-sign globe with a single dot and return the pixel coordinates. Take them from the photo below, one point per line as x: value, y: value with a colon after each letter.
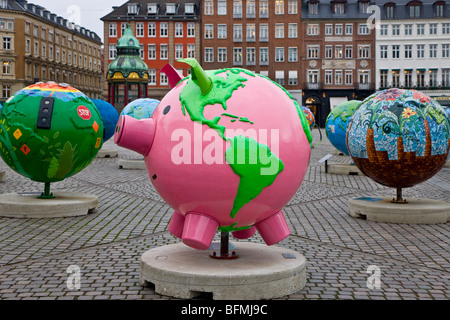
x: 37, y: 45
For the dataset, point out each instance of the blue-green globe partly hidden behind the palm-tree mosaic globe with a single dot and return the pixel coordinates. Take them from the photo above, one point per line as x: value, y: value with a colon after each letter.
x: 337, y: 123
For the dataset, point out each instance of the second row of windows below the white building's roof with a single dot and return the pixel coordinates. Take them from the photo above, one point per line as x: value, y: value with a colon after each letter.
x: 420, y: 52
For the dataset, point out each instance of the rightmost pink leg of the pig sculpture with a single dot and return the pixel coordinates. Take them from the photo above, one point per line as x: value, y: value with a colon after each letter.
x: 273, y: 229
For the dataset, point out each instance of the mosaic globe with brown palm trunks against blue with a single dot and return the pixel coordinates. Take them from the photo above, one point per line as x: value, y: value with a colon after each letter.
x: 399, y: 138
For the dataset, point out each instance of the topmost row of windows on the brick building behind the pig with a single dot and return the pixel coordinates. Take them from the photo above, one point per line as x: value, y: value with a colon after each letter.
x: 250, y: 8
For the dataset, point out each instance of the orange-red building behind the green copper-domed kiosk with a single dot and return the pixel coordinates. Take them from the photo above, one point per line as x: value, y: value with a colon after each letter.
x: 167, y: 32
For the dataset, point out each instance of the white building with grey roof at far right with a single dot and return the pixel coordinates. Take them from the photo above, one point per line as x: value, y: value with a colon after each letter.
x: 413, y: 47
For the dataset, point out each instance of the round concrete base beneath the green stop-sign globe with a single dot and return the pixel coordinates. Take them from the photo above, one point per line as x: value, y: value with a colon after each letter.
x: 28, y: 205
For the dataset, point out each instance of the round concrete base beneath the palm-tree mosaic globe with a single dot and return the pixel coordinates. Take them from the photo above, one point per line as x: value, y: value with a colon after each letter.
x: 416, y: 211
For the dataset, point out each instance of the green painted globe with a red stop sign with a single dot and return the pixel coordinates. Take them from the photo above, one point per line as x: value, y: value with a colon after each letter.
x: 49, y: 132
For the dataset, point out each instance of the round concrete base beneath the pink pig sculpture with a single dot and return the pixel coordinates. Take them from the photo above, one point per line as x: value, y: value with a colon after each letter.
x: 260, y: 272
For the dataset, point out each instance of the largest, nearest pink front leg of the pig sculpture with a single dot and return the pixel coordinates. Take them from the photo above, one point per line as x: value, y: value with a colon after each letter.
x: 199, y: 230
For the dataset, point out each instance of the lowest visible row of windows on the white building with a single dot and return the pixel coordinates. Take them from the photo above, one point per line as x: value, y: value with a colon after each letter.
x: 414, y: 78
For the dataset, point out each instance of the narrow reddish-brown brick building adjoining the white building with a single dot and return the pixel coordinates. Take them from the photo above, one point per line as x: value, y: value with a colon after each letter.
x: 339, y: 54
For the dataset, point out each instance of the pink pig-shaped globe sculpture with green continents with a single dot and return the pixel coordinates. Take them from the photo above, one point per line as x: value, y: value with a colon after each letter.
x: 226, y: 149
